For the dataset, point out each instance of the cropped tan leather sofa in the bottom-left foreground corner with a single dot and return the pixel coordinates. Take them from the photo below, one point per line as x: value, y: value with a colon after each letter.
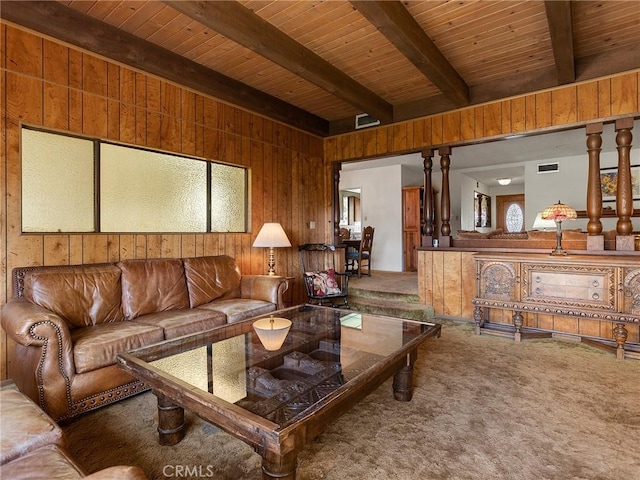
x: 32, y: 446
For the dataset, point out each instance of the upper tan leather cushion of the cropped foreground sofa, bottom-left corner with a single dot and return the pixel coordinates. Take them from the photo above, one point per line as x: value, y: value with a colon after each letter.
x: 24, y: 427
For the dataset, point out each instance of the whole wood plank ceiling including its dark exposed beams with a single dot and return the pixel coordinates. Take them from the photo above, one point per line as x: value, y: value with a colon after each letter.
x: 316, y: 64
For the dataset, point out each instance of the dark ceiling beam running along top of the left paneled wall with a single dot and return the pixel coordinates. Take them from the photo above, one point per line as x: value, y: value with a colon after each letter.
x: 55, y: 20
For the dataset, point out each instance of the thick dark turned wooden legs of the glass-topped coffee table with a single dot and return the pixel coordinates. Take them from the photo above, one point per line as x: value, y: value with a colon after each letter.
x: 171, y: 426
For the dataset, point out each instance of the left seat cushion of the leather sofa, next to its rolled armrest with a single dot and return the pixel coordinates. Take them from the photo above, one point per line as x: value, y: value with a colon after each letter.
x: 96, y: 347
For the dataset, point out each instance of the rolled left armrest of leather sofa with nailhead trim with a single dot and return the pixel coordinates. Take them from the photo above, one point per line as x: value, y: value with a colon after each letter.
x: 43, y: 356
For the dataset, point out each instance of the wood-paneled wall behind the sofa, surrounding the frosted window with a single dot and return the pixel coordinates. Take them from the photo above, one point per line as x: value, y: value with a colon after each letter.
x: 47, y: 84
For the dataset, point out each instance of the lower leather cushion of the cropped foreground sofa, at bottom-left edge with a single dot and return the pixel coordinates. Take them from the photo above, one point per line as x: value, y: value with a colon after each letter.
x: 50, y: 462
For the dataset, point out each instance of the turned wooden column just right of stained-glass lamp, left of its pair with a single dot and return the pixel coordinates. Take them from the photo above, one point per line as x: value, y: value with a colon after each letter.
x: 595, y: 240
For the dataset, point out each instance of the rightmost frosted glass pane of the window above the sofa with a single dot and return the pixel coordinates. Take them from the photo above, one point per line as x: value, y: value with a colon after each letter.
x: 228, y: 198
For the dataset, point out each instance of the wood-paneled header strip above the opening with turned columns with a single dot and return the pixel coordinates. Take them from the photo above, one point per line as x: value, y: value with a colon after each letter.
x: 573, y: 105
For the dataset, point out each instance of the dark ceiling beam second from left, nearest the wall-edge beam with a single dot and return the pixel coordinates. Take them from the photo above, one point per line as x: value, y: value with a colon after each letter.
x: 244, y: 27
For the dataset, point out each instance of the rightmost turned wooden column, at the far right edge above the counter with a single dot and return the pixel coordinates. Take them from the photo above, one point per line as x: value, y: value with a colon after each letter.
x: 624, y: 198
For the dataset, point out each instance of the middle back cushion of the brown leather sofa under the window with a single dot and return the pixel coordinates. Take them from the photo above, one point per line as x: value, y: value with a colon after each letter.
x: 152, y: 285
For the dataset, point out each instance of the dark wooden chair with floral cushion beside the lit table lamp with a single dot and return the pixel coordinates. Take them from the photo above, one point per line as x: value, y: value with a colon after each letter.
x: 324, y: 285
